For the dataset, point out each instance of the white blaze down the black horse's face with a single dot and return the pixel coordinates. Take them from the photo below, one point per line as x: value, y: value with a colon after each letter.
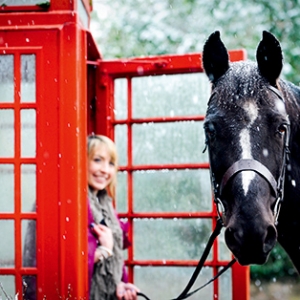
x: 245, y: 142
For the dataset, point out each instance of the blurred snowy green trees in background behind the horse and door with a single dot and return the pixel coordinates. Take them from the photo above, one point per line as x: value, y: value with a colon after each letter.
x: 131, y: 28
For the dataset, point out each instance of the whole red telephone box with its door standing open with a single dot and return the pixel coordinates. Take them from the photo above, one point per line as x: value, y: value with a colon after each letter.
x: 54, y: 89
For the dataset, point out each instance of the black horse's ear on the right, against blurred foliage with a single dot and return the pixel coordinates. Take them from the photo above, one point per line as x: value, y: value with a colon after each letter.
x: 269, y: 57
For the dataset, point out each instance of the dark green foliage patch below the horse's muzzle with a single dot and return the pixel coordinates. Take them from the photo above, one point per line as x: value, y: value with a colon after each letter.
x: 278, y: 266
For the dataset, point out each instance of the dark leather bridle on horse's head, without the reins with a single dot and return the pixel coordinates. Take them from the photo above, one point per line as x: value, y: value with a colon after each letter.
x: 277, y: 186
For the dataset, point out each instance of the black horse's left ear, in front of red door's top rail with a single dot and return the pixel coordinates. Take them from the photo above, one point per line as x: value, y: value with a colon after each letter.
x: 215, y: 58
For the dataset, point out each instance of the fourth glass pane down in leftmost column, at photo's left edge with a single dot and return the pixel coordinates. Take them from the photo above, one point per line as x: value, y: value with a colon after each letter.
x: 7, y: 238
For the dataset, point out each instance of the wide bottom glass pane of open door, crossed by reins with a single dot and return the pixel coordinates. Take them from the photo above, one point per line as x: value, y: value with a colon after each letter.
x: 169, y: 282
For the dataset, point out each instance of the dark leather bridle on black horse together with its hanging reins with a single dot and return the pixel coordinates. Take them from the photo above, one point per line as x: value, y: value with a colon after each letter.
x: 241, y: 165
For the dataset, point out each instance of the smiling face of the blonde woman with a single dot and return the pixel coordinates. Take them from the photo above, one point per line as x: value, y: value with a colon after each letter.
x: 101, y: 169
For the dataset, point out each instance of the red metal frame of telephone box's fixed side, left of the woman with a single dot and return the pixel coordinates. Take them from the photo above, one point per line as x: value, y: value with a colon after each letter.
x: 61, y: 49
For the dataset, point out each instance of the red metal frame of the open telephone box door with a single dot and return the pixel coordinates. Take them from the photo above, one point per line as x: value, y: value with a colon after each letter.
x: 105, y: 122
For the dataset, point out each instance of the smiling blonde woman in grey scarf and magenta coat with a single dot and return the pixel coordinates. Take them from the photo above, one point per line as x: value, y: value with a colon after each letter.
x: 106, y: 237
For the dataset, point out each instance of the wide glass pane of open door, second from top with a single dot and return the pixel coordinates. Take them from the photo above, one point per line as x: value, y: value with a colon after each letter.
x: 163, y: 143
